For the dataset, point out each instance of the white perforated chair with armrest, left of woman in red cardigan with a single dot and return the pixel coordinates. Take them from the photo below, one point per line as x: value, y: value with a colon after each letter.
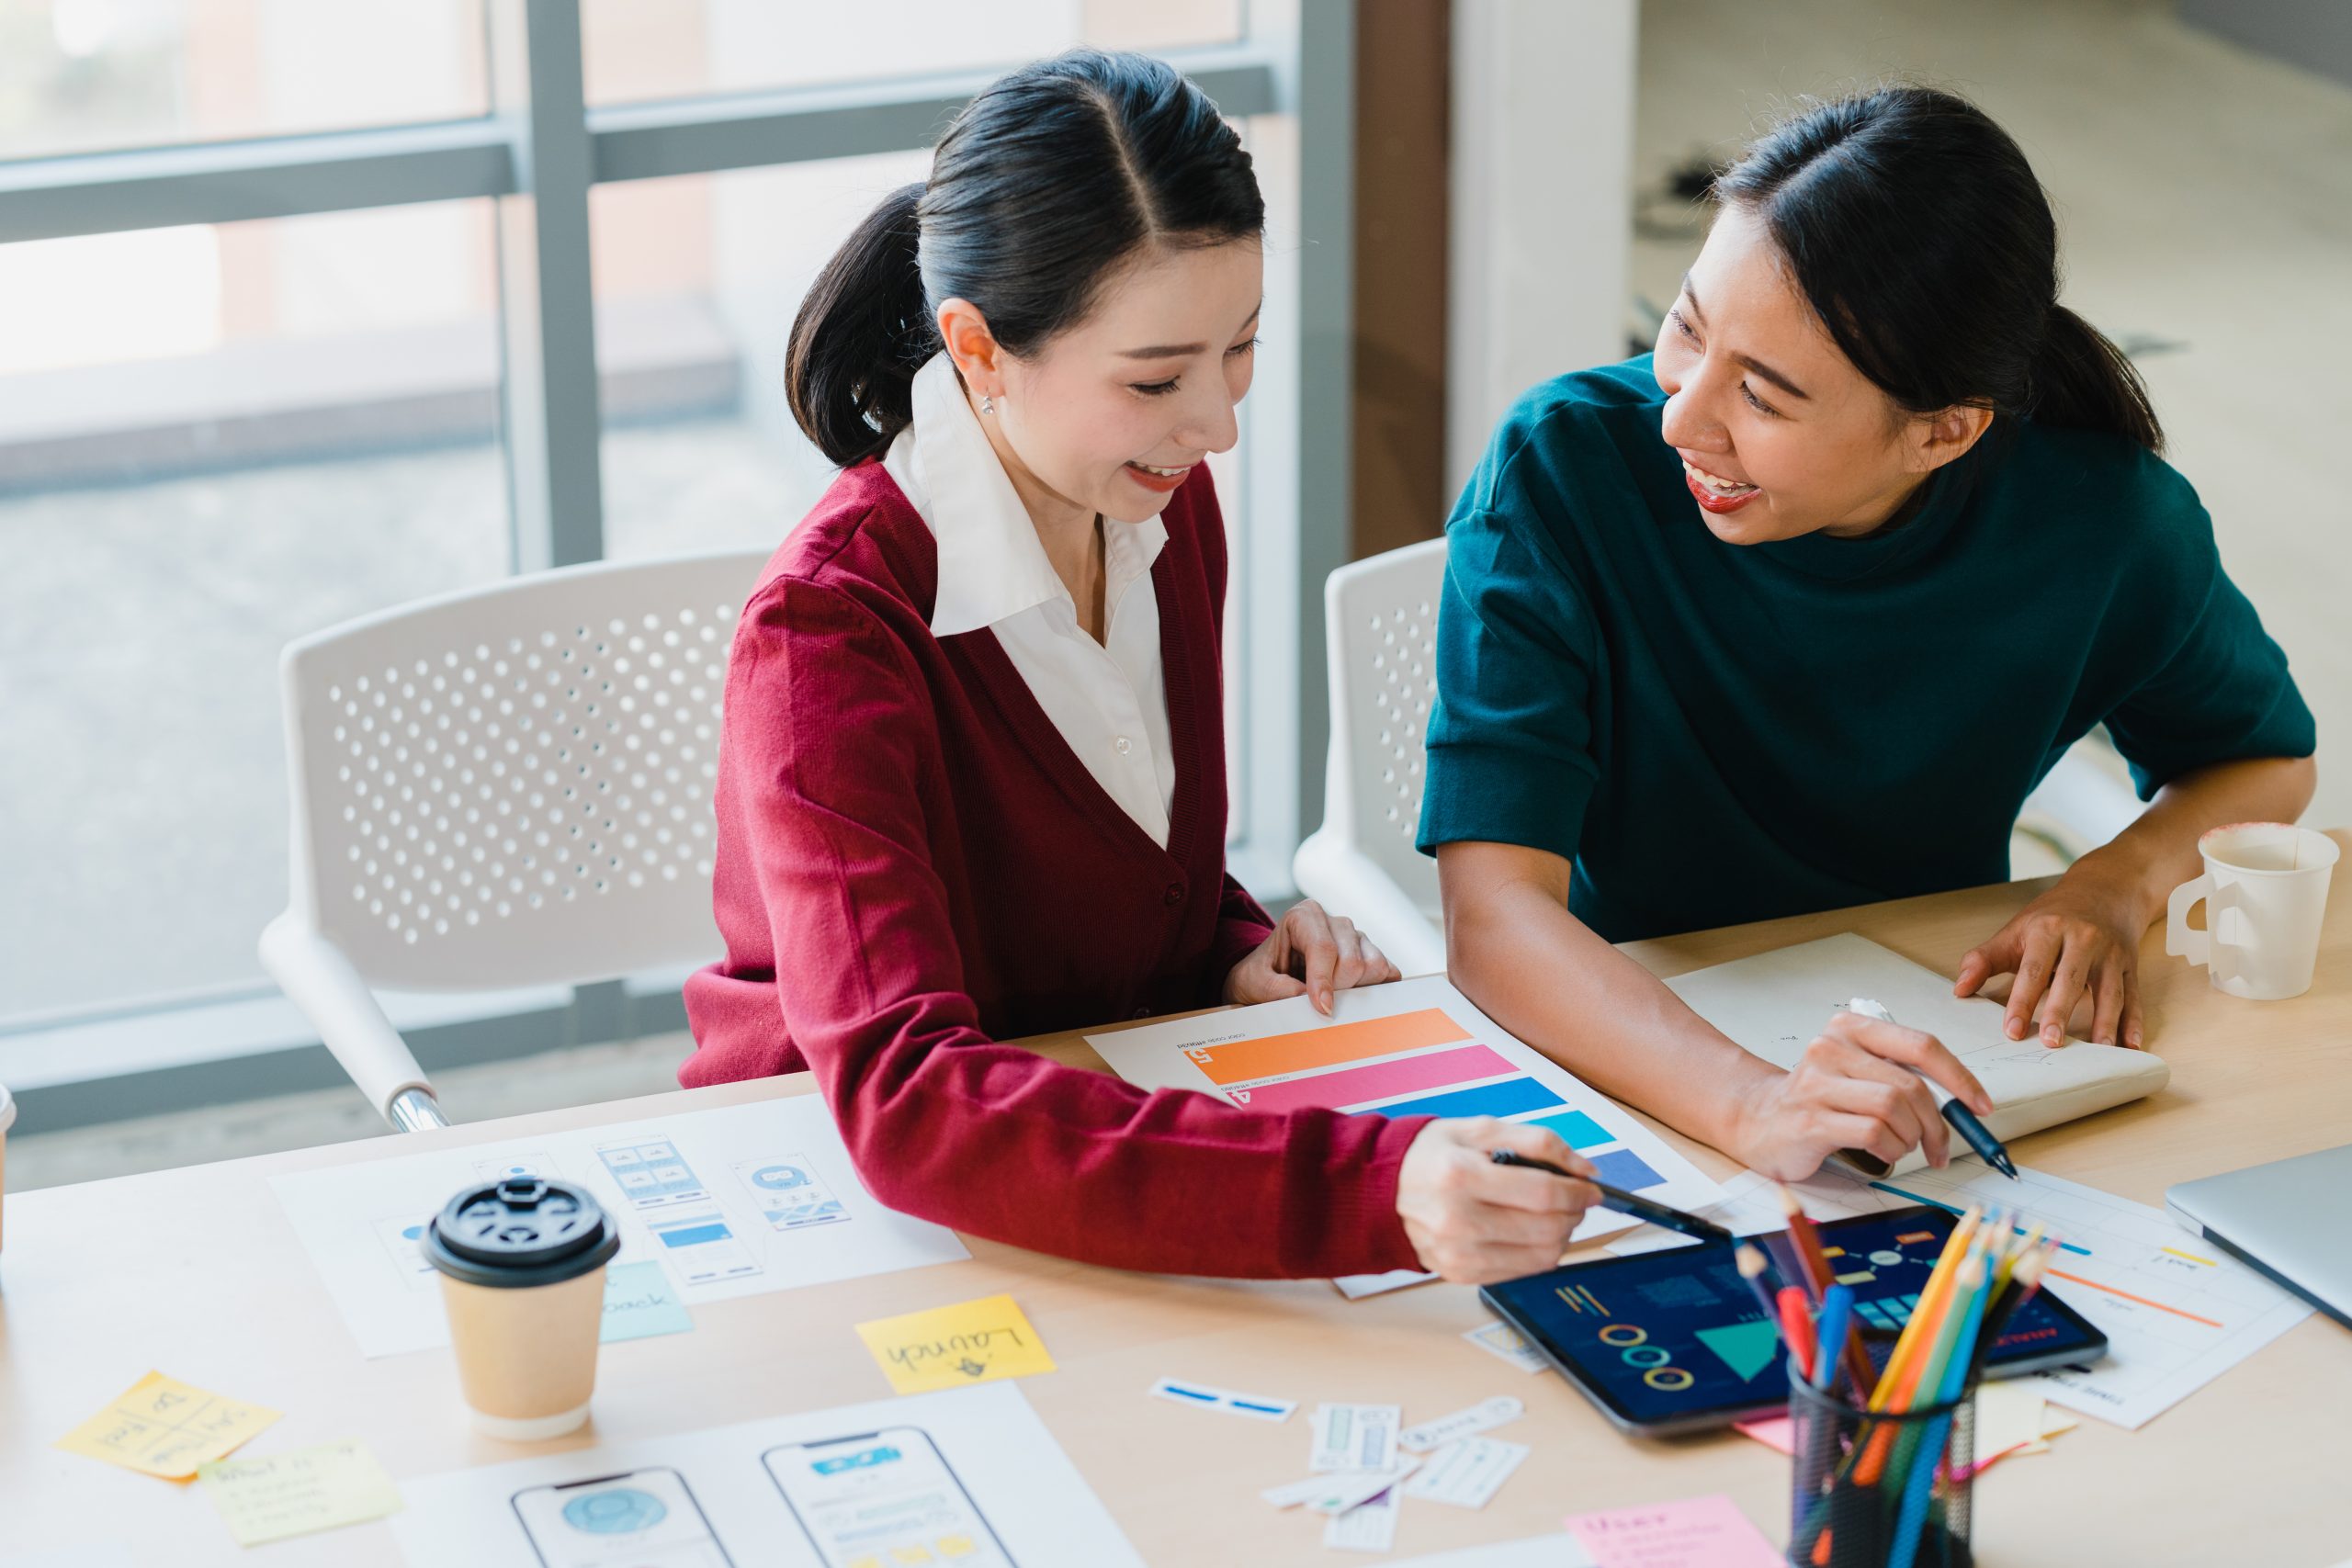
x: 497, y: 789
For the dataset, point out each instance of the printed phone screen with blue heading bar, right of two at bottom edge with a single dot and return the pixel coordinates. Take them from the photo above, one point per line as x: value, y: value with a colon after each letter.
x: 883, y: 1499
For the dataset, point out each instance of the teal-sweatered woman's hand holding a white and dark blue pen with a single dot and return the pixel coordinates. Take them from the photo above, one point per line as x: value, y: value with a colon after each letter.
x: 1852, y: 1090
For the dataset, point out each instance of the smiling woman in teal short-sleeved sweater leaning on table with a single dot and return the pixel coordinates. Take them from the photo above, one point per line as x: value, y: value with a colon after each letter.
x: 1798, y: 610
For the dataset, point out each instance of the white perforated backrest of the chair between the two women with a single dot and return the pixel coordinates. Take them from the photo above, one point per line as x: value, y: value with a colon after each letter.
x: 1382, y: 638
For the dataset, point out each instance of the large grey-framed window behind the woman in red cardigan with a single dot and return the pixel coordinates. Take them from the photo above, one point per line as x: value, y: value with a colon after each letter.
x: 349, y: 304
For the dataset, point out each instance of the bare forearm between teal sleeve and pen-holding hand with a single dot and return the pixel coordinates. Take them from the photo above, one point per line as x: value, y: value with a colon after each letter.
x: 1549, y: 979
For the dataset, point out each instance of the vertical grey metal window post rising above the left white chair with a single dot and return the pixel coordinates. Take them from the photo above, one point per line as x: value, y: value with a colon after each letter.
x: 549, y: 391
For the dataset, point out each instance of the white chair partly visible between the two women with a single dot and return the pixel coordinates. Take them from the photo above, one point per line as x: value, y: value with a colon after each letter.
x: 1382, y: 645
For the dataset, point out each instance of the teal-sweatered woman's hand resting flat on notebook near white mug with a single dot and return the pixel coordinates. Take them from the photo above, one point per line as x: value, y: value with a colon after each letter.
x: 2076, y: 944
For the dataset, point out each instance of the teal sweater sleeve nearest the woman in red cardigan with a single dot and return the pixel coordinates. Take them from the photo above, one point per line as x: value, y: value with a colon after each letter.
x: 1511, y: 746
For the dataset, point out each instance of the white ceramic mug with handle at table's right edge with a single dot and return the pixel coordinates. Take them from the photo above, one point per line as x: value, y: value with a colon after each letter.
x: 2266, y: 890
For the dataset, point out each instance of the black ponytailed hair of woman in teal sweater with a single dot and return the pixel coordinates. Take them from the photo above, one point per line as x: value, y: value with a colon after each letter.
x: 1925, y: 243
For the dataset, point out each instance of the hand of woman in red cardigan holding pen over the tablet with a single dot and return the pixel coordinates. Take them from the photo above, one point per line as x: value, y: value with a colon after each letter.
x: 1476, y: 1221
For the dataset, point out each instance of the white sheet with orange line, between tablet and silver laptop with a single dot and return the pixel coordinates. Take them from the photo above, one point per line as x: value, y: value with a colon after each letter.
x: 2177, y: 1311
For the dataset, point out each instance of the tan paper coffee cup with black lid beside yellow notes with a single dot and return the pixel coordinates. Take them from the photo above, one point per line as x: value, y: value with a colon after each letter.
x: 523, y: 1275
